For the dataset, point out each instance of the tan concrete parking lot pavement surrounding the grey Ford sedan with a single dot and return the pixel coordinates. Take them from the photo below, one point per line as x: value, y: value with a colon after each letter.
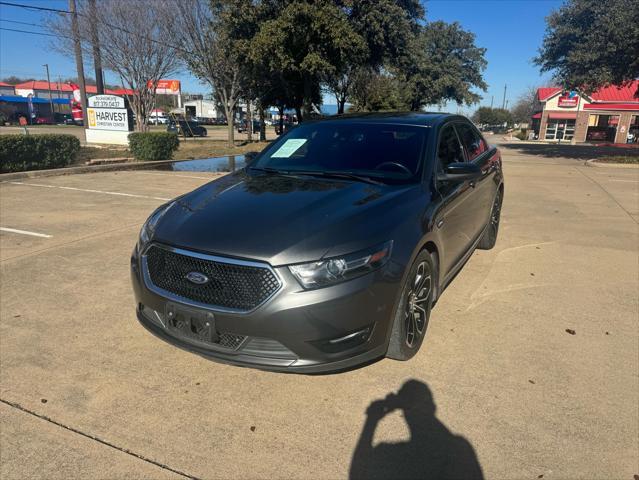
x: 85, y: 391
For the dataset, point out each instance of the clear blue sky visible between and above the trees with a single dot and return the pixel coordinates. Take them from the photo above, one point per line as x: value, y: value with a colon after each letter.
x: 510, y: 30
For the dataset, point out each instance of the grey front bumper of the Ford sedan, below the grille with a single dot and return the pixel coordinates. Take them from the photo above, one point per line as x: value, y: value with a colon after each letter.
x: 305, y: 331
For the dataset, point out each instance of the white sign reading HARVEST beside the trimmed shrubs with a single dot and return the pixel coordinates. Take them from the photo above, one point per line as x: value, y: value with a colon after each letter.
x: 109, y: 120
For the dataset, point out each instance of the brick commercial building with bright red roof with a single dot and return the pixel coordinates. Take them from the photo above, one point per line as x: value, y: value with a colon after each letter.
x: 610, y: 114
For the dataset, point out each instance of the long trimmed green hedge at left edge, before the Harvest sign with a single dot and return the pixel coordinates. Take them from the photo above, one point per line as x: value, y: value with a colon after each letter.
x: 19, y: 153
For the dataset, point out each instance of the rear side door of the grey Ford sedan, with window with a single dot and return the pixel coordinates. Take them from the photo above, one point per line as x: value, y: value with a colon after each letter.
x: 477, y: 151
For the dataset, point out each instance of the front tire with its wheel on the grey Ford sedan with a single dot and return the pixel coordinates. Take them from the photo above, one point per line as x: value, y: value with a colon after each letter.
x: 413, y: 311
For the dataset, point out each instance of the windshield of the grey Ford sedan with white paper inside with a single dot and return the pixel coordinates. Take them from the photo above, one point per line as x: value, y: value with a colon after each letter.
x: 381, y: 151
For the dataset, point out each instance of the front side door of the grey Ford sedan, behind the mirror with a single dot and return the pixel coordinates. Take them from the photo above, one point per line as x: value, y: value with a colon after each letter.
x: 454, y: 219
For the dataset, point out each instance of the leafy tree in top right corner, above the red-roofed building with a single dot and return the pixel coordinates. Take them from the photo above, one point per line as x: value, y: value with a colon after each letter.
x: 590, y: 43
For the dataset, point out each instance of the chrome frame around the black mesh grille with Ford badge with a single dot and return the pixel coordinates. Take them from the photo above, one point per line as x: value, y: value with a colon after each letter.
x: 187, y: 301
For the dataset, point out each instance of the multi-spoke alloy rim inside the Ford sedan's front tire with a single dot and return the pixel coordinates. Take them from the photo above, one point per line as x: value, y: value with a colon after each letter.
x: 416, y: 310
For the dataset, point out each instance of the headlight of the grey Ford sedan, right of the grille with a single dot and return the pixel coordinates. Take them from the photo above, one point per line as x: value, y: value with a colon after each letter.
x: 337, y: 269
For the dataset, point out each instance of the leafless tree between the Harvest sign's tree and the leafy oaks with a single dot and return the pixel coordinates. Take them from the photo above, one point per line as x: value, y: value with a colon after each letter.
x: 208, y: 52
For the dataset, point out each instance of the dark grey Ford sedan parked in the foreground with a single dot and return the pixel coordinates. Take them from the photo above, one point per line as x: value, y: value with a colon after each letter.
x: 328, y: 250
